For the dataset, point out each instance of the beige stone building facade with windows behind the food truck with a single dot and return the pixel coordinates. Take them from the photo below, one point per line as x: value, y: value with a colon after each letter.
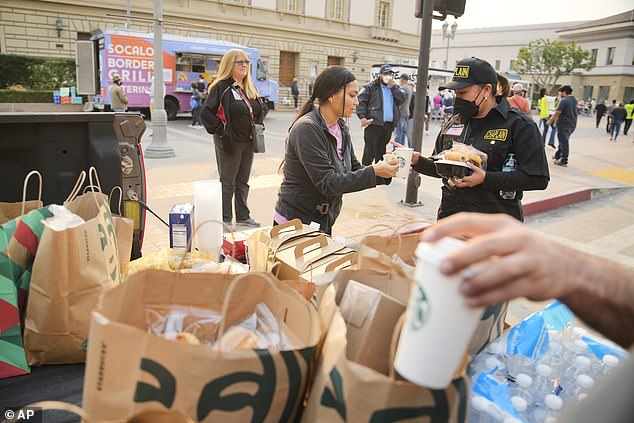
x: 295, y: 37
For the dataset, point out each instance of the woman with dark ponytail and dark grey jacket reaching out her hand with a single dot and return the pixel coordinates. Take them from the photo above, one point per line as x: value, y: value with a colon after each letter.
x: 319, y: 162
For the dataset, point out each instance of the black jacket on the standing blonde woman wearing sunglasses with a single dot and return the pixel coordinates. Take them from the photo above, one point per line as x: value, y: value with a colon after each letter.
x: 218, y: 118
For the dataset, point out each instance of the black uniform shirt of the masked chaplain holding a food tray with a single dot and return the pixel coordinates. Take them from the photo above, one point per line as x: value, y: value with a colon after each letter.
x: 502, y: 131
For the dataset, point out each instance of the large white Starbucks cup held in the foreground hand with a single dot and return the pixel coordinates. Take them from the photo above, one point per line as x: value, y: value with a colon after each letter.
x: 438, y: 323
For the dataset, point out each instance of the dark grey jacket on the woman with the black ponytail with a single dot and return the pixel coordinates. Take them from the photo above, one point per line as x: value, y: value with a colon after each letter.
x: 315, y: 178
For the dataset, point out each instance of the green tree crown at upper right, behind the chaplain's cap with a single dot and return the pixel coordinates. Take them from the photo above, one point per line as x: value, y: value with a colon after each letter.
x: 546, y: 61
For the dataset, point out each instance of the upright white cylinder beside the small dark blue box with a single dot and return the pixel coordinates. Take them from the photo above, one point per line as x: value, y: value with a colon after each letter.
x: 208, y: 208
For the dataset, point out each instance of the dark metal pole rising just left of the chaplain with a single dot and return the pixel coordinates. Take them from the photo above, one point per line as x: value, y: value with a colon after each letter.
x: 413, y: 180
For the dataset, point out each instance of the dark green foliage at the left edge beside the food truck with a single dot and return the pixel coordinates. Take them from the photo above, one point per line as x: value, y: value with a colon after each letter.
x: 38, y: 73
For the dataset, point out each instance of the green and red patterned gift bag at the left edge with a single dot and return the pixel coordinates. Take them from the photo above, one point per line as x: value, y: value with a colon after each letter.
x: 19, y: 239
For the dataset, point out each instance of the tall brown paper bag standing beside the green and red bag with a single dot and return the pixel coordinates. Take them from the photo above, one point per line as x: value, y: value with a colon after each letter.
x: 72, y: 268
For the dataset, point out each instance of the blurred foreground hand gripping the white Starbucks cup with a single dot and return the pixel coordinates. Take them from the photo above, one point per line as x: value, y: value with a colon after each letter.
x: 503, y: 260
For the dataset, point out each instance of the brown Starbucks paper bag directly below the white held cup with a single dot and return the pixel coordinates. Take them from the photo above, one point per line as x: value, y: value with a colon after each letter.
x: 344, y: 391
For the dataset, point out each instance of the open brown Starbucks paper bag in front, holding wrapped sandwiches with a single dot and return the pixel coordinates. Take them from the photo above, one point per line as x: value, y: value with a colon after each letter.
x: 129, y: 370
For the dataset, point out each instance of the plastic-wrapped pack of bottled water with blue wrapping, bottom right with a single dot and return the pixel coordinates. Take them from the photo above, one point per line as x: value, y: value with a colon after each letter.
x: 538, y: 368
